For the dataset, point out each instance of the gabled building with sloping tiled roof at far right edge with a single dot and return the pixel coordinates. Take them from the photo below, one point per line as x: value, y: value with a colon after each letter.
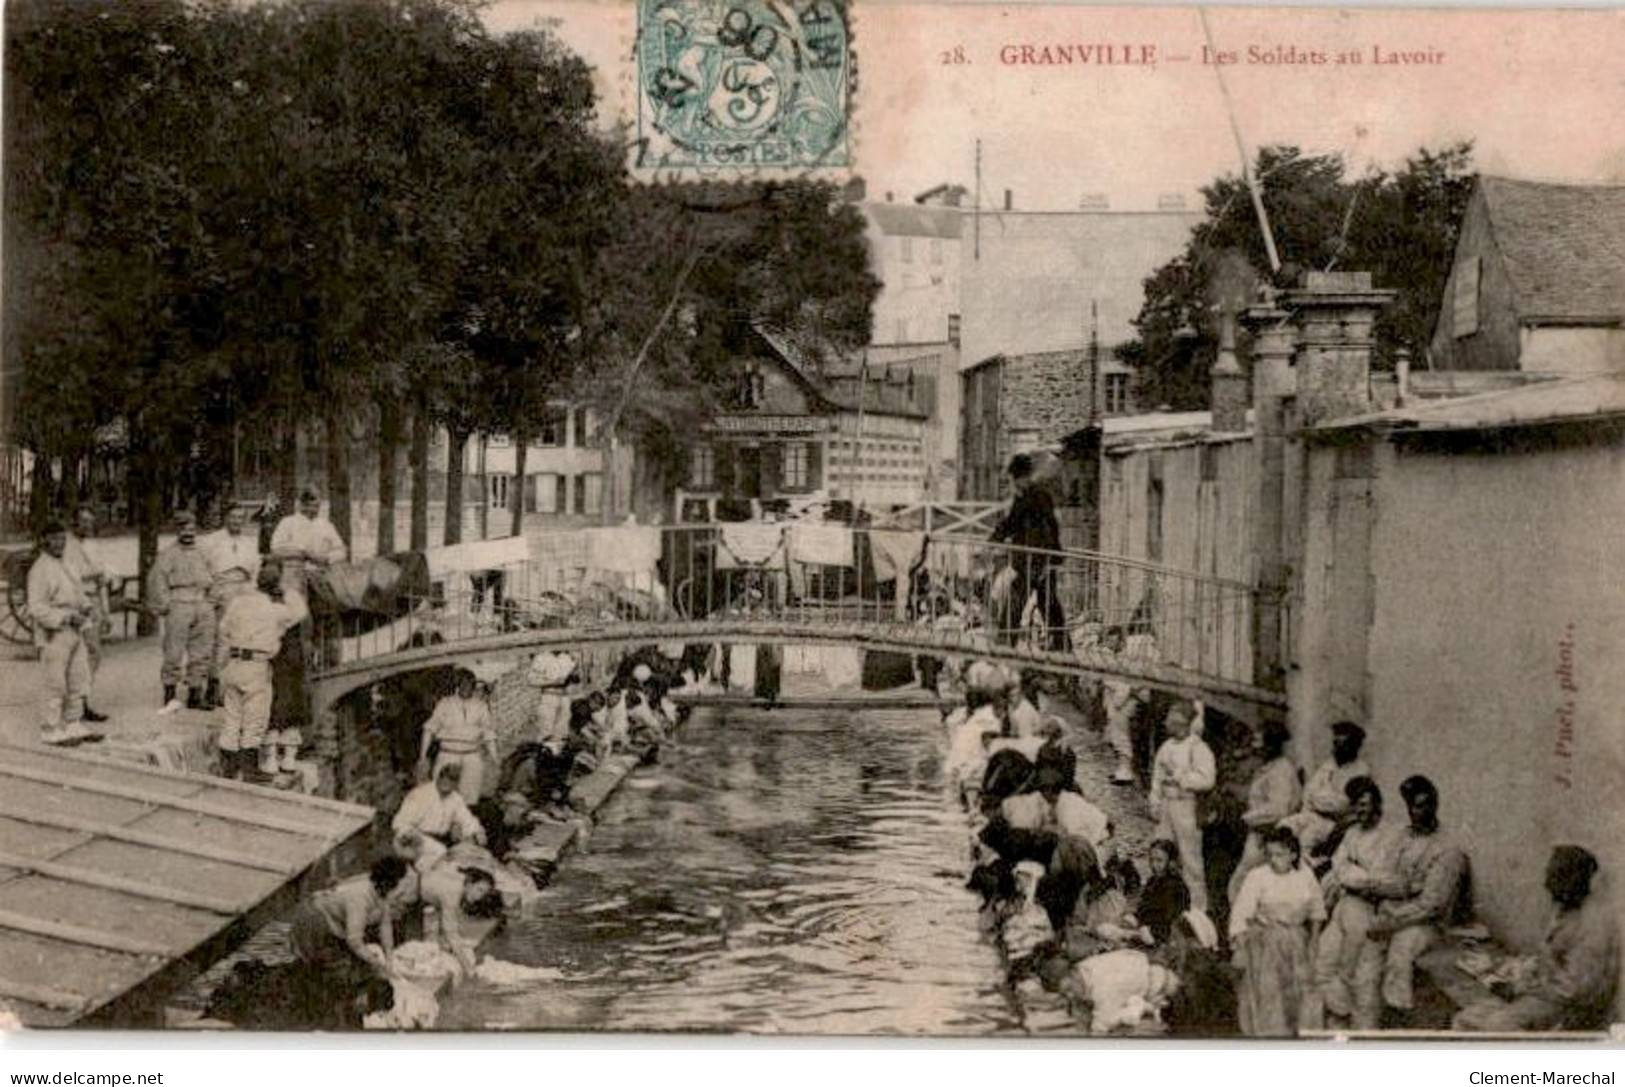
x: 1538, y: 284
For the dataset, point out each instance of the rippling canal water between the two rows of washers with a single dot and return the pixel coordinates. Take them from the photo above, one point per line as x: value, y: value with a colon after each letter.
x: 791, y: 872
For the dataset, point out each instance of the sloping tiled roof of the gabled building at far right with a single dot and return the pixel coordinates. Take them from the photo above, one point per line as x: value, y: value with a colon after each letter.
x: 1564, y: 248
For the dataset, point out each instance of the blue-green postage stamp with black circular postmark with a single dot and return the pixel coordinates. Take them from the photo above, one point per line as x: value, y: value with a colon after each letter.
x: 743, y: 85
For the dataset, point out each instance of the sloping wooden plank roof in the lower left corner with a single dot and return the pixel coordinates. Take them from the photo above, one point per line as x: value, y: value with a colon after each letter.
x: 119, y: 881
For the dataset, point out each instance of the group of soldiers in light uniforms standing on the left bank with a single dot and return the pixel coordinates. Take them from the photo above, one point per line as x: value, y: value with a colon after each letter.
x: 225, y: 608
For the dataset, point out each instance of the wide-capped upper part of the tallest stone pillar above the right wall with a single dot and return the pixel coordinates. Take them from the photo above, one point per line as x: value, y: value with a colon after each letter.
x: 1335, y: 313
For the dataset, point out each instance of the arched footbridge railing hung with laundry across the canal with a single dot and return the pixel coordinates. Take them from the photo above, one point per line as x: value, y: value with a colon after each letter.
x: 966, y: 592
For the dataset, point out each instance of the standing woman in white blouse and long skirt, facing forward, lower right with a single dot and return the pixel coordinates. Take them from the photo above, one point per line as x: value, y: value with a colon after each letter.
x: 1273, y: 925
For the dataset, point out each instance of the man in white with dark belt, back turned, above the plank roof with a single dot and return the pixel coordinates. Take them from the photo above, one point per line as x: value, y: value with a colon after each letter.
x: 253, y: 626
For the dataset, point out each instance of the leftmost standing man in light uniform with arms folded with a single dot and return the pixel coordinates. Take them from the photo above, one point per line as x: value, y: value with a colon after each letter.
x: 59, y: 610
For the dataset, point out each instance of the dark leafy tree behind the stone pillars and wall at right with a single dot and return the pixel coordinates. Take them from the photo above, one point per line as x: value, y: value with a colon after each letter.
x: 1402, y: 227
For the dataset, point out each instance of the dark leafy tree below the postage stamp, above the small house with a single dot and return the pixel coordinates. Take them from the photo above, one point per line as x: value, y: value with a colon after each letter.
x: 693, y: 271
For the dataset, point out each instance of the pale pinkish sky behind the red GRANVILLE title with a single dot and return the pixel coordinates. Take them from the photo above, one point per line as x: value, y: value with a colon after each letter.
x: 1541, y: 93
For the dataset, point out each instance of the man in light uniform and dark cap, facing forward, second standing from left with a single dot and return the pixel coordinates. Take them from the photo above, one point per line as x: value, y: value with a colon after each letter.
x: 178, y: 591
